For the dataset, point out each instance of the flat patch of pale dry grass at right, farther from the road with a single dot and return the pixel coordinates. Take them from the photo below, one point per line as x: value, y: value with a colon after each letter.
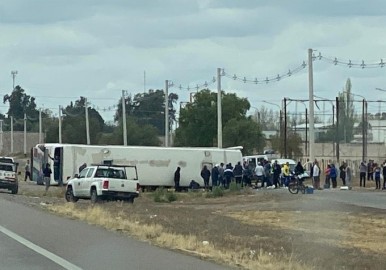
x: 348, y: 230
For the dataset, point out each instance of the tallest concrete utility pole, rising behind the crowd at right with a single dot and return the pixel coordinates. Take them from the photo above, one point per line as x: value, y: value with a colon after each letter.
x: 311, y: 106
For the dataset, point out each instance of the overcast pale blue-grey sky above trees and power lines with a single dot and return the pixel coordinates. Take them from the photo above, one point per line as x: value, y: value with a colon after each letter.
x: 63, y: 49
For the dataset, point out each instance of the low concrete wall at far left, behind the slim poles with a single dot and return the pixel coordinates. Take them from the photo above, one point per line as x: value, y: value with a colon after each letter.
x: 18, y: 142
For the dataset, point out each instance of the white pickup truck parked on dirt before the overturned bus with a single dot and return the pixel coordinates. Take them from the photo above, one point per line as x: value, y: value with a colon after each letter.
x: 104, y: 182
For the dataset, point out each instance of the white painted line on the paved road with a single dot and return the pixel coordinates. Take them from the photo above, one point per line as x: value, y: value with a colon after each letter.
x: 49, y: 255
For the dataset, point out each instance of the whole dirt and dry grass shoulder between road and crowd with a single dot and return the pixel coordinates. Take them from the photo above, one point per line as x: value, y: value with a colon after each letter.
x: 249, y: 229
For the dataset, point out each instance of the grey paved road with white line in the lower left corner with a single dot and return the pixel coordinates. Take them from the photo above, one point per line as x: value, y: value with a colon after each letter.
x: 33, y: 239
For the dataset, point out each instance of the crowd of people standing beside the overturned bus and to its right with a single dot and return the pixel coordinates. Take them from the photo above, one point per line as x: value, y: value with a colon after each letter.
x: 275, y: 175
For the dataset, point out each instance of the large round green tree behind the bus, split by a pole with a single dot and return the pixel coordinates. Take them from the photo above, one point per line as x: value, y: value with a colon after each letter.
x: 198, y: 121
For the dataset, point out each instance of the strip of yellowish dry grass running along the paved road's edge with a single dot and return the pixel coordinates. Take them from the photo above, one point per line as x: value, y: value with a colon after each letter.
x: 156, y: 234
